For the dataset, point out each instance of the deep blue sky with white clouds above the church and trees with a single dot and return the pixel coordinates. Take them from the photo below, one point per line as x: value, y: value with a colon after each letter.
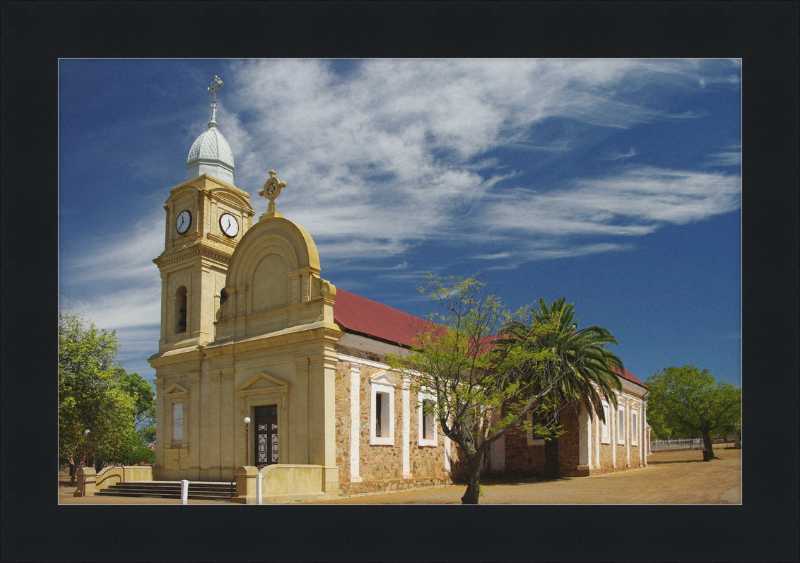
x: 615, y: 183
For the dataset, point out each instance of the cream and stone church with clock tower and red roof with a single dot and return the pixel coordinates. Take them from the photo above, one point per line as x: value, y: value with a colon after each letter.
x: 262, y: 362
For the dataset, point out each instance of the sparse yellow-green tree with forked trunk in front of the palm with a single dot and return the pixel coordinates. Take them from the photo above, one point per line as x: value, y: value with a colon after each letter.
x: 473, y: 380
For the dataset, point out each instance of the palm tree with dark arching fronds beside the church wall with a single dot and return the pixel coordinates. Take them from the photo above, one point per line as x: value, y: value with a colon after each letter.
x: 584, y: 371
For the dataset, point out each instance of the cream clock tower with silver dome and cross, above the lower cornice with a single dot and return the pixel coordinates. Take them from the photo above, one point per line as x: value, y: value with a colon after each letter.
x: 206, y: 217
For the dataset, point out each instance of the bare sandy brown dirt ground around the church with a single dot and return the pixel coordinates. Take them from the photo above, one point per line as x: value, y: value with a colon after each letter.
x: 675, y: 477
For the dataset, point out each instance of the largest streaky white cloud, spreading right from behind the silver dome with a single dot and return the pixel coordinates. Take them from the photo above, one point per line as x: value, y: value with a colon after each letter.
x: 394, y: 154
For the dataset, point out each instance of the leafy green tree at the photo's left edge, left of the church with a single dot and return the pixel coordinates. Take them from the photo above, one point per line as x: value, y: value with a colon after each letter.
x: 90, y: 395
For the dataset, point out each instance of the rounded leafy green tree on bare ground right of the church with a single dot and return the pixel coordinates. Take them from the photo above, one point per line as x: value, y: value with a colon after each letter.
x: 692, y: 401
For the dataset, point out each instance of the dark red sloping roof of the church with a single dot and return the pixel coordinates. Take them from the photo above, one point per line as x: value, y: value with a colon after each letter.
x: 369, y: 318
